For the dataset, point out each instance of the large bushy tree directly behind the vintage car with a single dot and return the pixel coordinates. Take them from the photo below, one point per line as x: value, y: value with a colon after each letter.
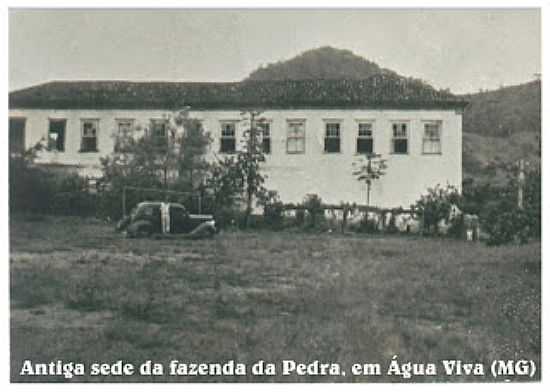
x: 165, y: 154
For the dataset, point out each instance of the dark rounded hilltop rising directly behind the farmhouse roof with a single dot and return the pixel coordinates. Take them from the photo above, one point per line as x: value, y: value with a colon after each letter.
x: 321, y: 63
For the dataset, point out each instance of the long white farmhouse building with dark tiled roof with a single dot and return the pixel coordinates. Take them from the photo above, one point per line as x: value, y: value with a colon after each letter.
x: 315, y: 129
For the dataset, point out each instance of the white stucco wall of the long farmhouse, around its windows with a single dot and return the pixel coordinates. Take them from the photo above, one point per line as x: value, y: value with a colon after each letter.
x: 293, y: 175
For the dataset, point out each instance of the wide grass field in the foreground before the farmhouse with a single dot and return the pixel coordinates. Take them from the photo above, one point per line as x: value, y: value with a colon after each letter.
x: 80, y: 292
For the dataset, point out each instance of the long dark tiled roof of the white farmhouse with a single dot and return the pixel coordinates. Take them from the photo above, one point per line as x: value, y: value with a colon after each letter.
x: 377, y: 91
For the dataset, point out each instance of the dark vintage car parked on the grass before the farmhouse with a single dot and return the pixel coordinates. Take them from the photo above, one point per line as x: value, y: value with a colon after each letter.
x: 159, y: 218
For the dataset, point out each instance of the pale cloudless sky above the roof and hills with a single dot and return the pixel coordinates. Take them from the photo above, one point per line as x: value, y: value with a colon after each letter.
x: 464, y: 50
